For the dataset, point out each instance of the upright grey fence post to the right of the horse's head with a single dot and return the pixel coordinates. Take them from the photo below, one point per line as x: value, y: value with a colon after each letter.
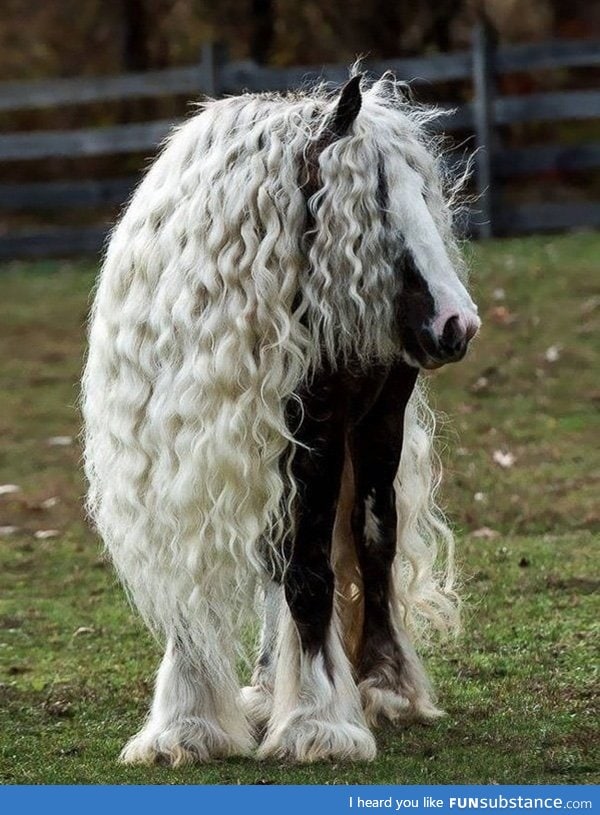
x: 484, y: 46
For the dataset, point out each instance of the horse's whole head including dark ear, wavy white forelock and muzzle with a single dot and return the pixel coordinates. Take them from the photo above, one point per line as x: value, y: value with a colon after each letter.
x: 387, y: 177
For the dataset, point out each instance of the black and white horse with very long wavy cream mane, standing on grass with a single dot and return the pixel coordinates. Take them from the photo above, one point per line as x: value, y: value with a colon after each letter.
x: 257, y: 436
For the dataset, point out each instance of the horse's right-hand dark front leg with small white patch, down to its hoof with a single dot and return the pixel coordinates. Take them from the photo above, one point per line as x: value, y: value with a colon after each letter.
x: 392, y: 681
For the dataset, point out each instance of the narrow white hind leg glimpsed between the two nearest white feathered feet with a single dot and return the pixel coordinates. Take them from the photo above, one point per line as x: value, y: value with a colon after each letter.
x: 257, y: 698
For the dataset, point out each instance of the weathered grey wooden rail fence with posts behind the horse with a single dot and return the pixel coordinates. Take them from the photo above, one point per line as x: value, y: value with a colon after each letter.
x: 214, y: 75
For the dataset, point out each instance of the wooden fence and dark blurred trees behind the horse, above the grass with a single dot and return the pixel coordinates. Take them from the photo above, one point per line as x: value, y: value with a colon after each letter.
x: 87, y: 89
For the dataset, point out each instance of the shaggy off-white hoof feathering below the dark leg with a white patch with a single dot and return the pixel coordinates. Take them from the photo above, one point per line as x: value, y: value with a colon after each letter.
x: 391, y: 705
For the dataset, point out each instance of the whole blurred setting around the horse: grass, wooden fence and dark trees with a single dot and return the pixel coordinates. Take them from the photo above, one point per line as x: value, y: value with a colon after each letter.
x: 87, y: 90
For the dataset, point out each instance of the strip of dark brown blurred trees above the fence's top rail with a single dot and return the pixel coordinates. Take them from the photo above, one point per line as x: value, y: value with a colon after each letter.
x: 86, y: 37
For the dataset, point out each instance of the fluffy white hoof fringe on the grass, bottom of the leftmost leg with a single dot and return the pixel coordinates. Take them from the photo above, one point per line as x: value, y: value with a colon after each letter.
x: 187, y: 741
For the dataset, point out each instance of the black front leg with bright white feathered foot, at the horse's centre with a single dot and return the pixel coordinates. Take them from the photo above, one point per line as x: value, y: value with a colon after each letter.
x: 316, y: 706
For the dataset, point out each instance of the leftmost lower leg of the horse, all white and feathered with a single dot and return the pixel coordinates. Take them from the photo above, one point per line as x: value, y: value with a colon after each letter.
x: 195, y: 713
